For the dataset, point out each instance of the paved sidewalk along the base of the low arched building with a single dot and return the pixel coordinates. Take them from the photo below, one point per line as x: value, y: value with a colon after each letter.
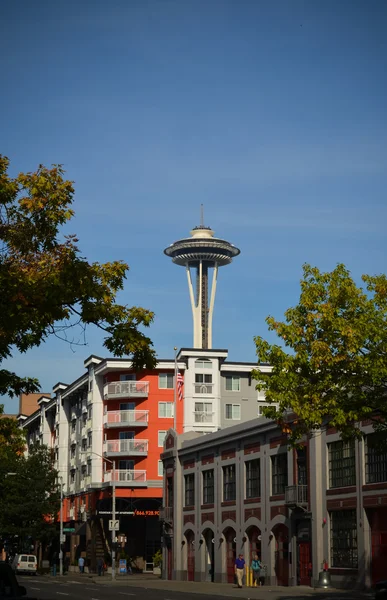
x: 150, y: 581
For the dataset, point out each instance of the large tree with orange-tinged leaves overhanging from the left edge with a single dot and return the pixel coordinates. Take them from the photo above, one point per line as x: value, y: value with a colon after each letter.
x: 47, y: 286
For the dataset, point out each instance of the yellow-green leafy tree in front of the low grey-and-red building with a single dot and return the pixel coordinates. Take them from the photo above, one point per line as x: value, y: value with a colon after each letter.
x: 335, y: 373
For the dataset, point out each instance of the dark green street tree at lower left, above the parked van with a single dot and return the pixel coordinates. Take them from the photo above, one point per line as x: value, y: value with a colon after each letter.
x: 29, y: 496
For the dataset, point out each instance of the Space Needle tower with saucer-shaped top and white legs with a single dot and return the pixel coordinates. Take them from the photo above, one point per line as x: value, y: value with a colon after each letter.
x: 200, y: 253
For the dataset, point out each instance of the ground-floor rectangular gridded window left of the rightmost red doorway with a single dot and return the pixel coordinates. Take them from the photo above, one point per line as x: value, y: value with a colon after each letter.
x: 343, y: 539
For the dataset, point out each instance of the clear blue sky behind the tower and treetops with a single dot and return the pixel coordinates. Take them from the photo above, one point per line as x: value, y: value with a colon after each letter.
x: 270, y: 113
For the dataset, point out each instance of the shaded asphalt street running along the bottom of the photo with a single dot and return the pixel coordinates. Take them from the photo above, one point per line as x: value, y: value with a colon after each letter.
x: 88, y: 588
